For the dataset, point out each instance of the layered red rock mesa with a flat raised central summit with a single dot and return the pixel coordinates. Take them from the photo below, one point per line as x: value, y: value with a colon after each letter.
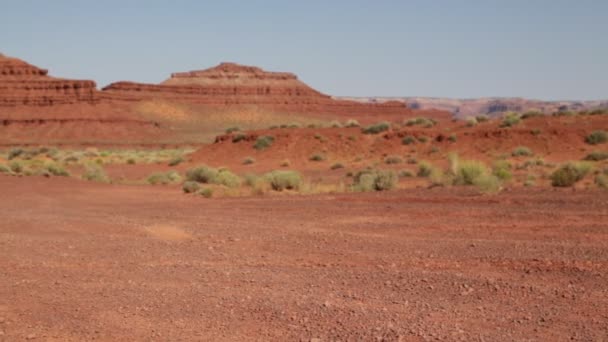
x: 230, y: 84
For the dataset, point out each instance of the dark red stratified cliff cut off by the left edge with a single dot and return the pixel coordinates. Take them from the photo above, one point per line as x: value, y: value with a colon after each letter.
x: 24, y: 84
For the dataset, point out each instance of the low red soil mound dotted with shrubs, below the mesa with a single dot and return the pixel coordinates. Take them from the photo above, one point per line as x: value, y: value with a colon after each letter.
x: 555, y: 139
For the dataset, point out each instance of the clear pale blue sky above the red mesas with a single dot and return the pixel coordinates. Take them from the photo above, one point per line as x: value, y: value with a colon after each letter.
x: 546, y: 49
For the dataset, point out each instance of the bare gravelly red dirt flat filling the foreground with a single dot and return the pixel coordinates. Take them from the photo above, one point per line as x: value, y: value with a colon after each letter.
x: 86, y: 261
